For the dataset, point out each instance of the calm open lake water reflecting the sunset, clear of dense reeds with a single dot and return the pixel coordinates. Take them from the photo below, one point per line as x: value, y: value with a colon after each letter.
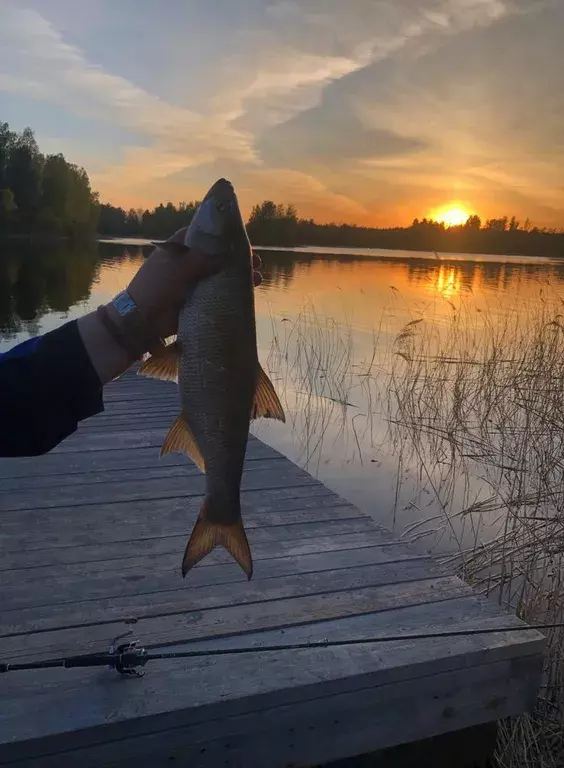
x: 327, y: 324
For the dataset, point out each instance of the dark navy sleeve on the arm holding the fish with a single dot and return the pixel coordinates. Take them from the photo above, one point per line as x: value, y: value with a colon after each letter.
x: 45, y: 392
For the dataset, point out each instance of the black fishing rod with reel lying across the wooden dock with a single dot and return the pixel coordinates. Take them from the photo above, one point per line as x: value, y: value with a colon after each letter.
x: 128, y: 658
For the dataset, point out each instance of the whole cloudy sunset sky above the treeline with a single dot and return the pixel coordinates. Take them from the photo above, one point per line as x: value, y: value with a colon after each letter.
x: 374, y: 111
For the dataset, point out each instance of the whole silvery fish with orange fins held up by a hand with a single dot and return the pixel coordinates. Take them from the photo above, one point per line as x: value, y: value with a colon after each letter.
x: 222, y: 384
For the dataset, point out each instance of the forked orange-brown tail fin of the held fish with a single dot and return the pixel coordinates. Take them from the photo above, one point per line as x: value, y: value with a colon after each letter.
x: 207, y: 535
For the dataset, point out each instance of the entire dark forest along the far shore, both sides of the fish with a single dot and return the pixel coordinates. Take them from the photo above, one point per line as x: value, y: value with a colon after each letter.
x: 47, y: 195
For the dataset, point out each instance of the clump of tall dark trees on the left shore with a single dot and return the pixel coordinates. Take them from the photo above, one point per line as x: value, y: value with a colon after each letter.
x: 42, y: 194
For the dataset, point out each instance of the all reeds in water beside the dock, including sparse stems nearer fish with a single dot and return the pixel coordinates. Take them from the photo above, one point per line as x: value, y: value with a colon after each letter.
x: 474, y: 402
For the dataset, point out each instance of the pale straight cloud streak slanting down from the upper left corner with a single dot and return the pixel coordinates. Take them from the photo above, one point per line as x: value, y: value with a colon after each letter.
x: 37, y: 62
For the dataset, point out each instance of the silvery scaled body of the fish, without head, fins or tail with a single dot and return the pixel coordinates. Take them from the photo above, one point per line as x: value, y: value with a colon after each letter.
x: 218, y: 375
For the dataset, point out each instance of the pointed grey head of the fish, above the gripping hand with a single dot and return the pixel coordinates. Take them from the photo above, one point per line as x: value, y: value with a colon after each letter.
x: 217, y: 226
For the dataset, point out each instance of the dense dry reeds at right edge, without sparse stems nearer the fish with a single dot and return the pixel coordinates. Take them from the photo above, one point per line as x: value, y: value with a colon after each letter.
x: 479, y: 404
